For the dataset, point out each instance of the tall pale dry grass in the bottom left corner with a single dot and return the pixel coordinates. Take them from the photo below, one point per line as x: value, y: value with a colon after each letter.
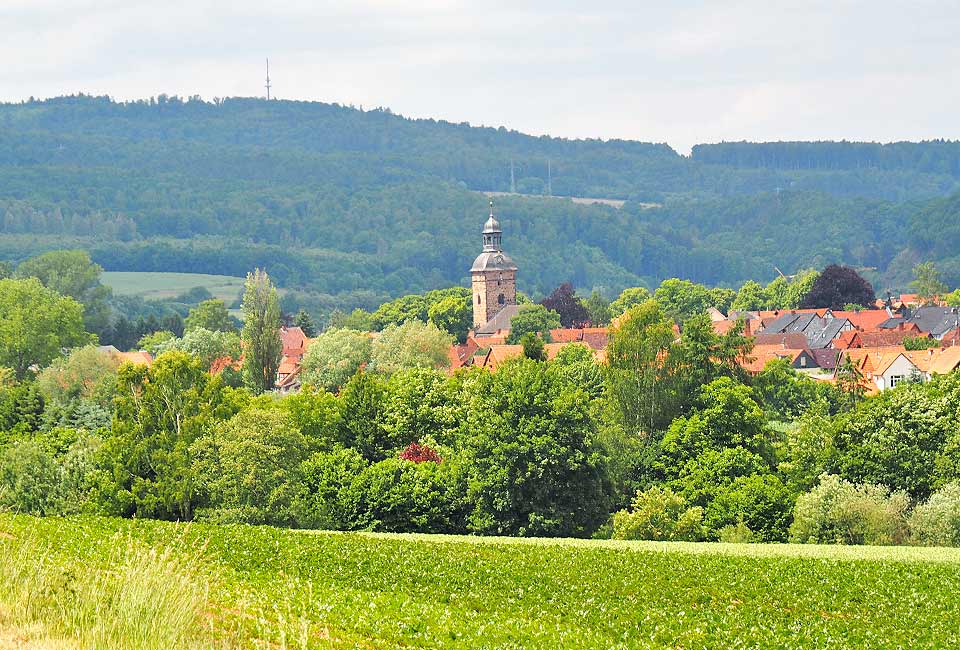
x: 140, y: 598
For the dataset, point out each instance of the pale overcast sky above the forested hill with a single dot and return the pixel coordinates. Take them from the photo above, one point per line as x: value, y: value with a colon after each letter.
x: 675, y: 72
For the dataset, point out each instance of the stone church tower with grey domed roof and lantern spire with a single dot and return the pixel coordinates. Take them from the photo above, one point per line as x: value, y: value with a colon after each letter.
x: 493, y: 276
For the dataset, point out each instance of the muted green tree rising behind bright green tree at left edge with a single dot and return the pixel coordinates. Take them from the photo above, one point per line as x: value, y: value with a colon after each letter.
x: 73, y: 274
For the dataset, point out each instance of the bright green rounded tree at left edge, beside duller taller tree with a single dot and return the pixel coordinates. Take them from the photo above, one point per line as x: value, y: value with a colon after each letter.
x: 36, y: 323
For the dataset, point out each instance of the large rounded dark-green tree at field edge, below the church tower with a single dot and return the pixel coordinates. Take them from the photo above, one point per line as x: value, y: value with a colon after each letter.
x: 535, y: 467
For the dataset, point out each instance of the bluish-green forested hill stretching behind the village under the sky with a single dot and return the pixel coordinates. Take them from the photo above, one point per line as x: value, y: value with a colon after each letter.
x: 353, y: 207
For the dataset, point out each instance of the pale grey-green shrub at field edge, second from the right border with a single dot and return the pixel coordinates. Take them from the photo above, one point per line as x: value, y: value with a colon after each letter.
x: 840, y: 512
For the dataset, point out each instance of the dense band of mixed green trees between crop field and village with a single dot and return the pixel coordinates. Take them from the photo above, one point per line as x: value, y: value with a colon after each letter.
x: 669, y: 440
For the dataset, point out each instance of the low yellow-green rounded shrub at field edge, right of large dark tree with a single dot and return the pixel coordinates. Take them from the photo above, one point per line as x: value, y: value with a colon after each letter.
x: 659, y: 514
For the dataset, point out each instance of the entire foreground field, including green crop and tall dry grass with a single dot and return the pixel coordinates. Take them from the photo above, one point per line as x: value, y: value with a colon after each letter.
x: 243, y: 586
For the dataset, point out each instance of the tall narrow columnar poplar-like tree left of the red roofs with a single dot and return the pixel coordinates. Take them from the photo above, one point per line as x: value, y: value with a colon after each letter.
x: 261, y: 332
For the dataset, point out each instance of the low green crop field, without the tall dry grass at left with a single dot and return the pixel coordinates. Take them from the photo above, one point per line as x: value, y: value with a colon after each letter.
x: 393, y: 590
